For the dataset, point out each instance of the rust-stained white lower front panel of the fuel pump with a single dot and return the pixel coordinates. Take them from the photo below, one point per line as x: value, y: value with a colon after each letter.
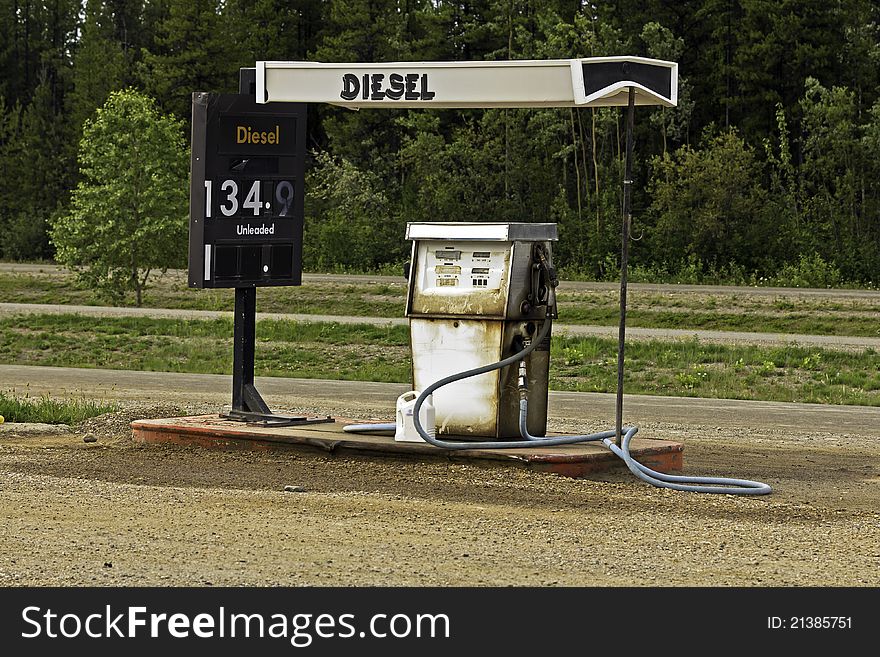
x: 441, y: 347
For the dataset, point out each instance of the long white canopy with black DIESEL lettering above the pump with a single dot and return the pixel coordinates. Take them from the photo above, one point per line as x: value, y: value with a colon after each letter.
x: 588, y: 82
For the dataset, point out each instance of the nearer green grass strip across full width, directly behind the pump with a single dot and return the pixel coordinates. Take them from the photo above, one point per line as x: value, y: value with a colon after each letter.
x: 372, y: 353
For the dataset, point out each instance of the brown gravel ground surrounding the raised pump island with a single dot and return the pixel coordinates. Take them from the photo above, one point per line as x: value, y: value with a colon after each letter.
x: 112, y: 512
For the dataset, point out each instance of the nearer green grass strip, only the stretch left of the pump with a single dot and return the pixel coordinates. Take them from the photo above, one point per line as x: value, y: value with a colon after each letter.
x: 283, y: 348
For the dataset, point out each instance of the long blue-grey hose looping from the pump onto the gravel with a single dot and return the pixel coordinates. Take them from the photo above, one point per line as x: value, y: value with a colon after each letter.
x: 720, y: 485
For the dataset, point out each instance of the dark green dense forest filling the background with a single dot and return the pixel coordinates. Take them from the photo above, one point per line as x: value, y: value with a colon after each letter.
x: 767, y: 171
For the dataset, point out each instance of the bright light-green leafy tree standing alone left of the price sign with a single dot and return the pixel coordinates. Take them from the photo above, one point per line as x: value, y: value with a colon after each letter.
x: 128, y: 213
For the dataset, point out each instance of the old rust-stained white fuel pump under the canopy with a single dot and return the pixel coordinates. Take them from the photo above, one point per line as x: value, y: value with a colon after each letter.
x: 478, y: 293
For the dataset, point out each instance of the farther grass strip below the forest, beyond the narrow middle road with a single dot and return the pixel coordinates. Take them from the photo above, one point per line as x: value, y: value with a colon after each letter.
x: 724, y: 312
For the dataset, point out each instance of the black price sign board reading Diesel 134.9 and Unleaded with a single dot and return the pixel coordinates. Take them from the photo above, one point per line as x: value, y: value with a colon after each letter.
x: 246, y: 192
